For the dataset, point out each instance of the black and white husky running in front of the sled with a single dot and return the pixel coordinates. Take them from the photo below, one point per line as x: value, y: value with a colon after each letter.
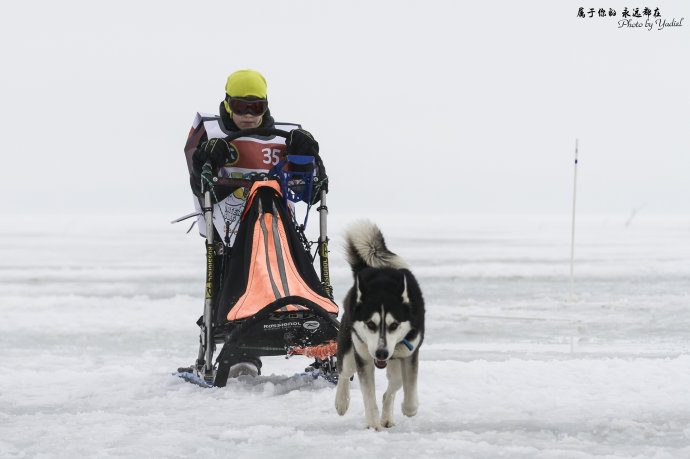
x: 382, y: 326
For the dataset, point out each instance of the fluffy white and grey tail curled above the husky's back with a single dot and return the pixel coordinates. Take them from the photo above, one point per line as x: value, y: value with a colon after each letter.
x: 365, y: 247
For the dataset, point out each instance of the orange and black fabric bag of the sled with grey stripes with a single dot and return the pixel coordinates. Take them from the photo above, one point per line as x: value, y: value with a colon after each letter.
x: 271, y: 299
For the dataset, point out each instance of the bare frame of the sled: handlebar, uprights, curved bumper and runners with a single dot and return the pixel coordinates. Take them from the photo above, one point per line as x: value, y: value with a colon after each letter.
x: 233, y: 335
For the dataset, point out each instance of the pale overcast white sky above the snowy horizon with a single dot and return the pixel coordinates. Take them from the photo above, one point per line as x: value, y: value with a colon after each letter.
x: 418, y: 106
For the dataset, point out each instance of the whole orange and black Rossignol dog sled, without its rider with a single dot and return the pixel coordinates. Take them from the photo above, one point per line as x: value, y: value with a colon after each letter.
x: 263, y: 296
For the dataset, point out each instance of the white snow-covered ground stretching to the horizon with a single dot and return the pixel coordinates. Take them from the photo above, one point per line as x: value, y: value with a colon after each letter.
x: 96, y: 312
